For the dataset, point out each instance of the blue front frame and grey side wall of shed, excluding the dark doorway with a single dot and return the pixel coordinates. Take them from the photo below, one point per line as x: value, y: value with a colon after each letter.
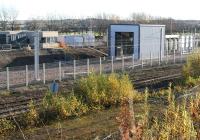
x: 148, y: 39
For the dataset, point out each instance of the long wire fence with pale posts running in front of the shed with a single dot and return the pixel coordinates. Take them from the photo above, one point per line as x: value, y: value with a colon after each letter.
x: 12, y: 77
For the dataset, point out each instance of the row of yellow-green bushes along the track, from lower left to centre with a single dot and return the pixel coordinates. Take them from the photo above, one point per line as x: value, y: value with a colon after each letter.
x: 94, y: 92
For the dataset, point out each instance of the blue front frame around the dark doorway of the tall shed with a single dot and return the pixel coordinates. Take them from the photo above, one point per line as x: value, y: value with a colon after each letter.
x: 124, y: 28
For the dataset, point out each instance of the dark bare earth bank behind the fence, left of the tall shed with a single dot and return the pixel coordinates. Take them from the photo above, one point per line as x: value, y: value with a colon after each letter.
x: 24, y: 57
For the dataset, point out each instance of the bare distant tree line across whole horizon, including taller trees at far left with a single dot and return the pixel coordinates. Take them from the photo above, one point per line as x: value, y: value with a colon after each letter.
x: 98, y: 23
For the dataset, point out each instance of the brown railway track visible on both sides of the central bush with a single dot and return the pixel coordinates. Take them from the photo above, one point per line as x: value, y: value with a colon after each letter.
x: 14, y: 106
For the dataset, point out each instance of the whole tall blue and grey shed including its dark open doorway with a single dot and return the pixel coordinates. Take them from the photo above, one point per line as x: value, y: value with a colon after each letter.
x: 140, y: 40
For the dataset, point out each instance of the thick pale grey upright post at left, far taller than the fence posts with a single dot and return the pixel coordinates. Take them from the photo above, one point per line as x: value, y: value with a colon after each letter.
x: 36, y: 55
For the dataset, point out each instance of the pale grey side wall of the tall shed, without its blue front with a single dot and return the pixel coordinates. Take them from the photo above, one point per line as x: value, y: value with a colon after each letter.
x: 152, y: 41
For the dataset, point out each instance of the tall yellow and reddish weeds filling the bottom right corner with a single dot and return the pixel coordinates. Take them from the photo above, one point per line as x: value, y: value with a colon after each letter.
x: 179, y: 120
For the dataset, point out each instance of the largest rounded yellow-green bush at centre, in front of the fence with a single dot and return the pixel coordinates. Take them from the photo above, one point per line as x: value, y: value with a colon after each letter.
x: 104, y: 90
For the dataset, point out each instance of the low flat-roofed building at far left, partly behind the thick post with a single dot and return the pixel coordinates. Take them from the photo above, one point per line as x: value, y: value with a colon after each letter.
x: 19, y: 39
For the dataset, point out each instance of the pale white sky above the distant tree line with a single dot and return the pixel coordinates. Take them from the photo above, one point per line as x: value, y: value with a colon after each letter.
x: 179, y: 9
